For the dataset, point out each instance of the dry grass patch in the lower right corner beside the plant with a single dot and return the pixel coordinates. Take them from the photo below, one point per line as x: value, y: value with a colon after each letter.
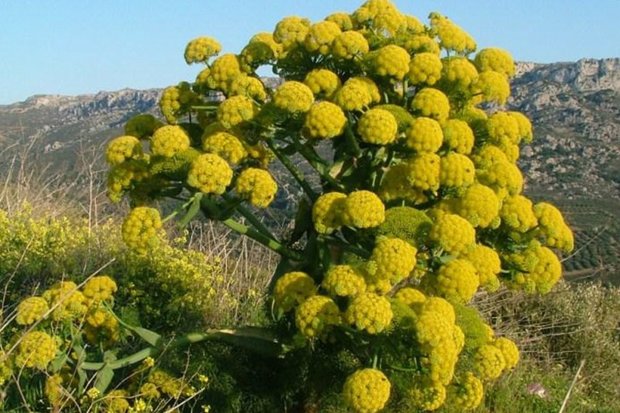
x: 573, y: 323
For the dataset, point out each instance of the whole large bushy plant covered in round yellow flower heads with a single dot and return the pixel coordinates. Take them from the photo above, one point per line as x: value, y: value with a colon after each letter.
x: 417, y: 205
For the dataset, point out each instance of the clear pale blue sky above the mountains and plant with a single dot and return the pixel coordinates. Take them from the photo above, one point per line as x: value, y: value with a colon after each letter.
x: 75, y: 47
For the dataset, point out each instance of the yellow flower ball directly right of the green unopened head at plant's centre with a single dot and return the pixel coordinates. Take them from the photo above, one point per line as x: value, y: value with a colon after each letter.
x: 453, y: 233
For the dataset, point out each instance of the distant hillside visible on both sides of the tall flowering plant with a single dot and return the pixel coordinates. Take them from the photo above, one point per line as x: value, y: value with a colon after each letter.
x: 575, y: 157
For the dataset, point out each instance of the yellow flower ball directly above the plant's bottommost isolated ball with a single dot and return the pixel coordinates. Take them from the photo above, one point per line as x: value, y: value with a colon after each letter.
x: 369, y: 312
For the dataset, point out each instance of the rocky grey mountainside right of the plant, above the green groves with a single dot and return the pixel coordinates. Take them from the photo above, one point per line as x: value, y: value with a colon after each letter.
x: 575, y: 109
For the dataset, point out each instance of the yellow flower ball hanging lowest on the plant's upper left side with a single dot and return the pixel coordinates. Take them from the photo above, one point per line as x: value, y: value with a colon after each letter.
x: 140, y: 229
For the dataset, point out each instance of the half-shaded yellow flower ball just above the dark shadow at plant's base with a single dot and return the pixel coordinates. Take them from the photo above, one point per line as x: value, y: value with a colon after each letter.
x: 316, y: 315
